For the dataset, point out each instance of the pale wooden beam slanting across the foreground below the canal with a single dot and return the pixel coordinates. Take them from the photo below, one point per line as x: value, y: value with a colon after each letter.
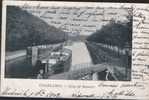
x: 82, y: 72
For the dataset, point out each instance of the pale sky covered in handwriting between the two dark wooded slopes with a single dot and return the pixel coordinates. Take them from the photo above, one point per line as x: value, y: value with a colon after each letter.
x: 79, y: 20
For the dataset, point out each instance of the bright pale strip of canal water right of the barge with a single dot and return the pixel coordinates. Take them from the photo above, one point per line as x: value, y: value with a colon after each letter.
x: 80, y: 55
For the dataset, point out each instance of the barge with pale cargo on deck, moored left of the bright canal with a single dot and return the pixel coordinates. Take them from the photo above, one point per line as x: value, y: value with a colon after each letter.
x: 52, y: 59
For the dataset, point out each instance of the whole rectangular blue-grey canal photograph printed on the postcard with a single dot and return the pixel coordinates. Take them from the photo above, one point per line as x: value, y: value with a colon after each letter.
x: 68, y: 43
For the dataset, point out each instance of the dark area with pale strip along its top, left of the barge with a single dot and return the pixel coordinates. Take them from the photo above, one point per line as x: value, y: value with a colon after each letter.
x: 18, y: 68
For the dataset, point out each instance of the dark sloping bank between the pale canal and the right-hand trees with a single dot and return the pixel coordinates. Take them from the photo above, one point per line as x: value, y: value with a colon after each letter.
x: 104, y: 53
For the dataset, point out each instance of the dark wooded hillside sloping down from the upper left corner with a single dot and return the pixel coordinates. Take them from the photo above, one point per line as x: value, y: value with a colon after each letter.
x: 24, y: 29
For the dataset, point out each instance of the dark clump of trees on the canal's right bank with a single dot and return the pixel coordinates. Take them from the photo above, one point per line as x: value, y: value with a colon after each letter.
x: 115, y: 33
